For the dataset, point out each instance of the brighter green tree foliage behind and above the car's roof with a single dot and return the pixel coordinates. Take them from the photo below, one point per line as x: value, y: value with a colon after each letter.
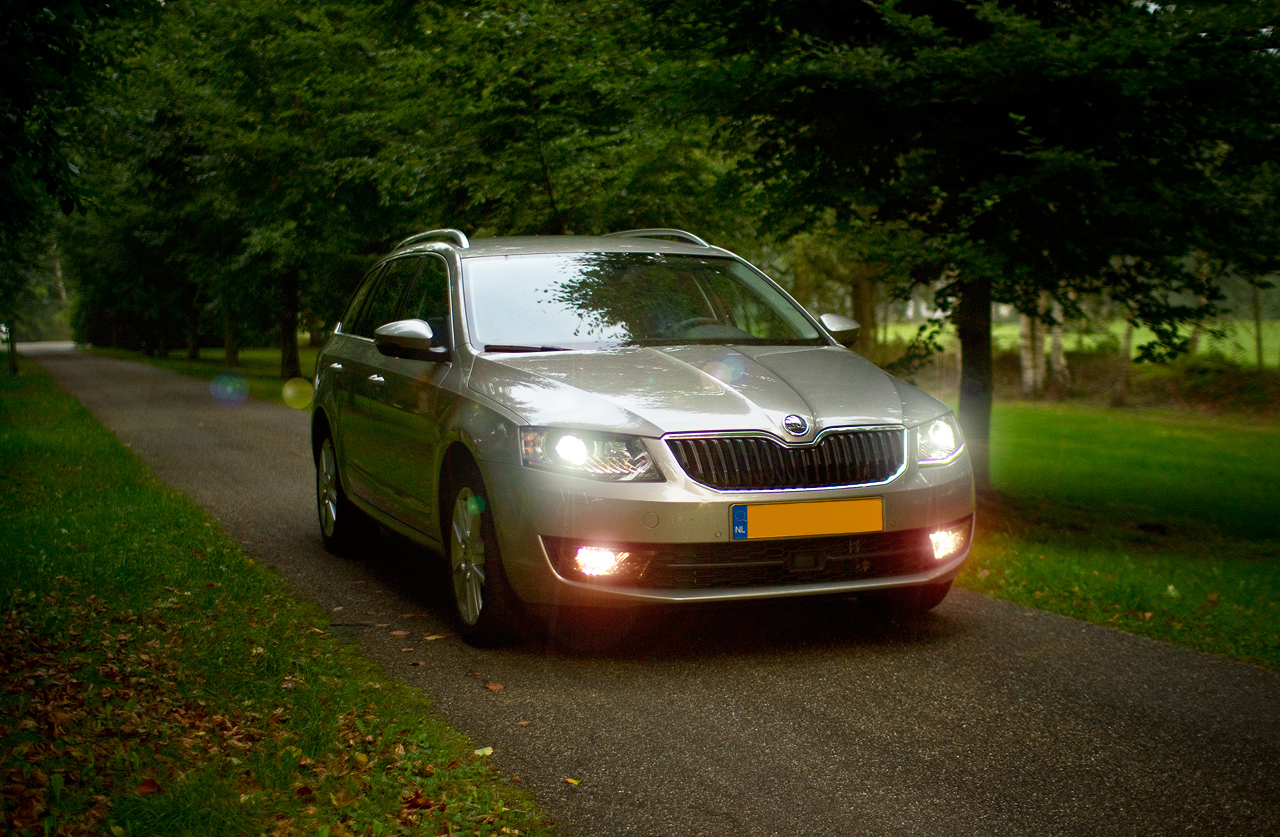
x: 260, y: 154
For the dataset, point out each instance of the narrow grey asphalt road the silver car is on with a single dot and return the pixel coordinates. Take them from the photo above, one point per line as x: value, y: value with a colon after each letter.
x: 788, y: 719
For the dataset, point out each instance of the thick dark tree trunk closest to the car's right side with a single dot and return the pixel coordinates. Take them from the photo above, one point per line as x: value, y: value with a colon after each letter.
x: 973, y: 323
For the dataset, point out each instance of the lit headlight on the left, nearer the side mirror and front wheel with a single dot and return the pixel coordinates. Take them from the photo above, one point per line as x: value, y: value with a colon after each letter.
x: 592, y: 455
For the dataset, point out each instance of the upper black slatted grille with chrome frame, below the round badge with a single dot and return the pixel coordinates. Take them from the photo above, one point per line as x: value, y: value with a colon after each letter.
x: 847, y: 458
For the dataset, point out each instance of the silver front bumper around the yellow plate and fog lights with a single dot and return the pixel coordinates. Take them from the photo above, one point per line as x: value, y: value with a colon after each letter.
x: 682, y: 533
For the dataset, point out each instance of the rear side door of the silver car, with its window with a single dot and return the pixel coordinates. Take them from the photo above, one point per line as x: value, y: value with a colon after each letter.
x: 365, y: 374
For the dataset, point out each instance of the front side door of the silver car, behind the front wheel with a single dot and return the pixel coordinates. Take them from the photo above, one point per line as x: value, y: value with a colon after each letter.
x: 415, y: 406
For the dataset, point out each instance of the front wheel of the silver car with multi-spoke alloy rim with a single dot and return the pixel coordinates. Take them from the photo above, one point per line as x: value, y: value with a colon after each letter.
x: 486, y: 606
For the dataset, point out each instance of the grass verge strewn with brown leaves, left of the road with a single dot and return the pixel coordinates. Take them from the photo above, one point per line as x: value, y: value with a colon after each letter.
x: 159, y: 682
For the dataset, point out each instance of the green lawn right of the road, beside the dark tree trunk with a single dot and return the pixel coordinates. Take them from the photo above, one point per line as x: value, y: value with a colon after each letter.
x: 1162, y: 524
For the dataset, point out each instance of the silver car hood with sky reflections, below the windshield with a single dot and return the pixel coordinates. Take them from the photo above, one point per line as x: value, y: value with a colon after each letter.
x: 700, y: 388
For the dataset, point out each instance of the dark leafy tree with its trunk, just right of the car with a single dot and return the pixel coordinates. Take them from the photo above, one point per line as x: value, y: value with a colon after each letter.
x: 1037, y: 147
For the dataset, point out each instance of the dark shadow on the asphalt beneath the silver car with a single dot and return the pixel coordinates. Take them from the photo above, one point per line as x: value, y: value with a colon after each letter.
x: 691, y: 632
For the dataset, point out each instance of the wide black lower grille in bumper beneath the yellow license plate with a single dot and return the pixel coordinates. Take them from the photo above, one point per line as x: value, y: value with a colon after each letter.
x: 760, y: 564
